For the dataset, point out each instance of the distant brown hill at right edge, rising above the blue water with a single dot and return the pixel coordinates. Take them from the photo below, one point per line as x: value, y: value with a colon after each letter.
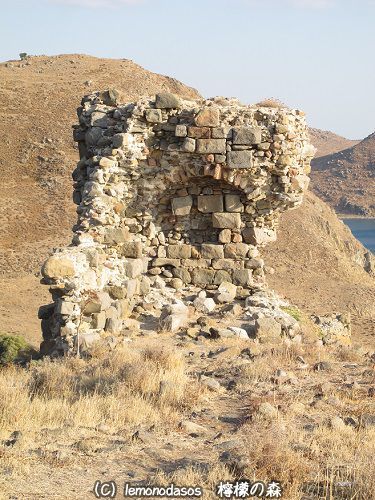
x: 345, y: 179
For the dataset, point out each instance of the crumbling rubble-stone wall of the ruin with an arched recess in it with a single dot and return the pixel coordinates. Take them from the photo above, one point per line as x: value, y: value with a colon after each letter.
x: 173, y: 196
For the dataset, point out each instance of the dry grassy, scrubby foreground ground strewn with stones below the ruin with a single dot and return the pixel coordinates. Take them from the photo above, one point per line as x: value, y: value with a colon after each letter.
x: 316, y: 441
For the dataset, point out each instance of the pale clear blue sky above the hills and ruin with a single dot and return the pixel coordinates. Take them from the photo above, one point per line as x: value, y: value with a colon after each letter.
x: 316, y: 55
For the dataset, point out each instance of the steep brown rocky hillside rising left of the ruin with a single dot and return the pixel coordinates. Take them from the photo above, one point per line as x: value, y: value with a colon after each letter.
x: 37, y: 153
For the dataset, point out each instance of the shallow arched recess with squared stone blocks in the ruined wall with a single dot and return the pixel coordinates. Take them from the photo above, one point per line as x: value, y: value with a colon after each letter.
x: 201, y: 235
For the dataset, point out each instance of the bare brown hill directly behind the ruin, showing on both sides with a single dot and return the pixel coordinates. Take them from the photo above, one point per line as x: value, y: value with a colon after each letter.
x: 318, y: 264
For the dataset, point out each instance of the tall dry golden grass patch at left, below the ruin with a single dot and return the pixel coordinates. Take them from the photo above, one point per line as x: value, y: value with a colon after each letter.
x: 124, y: 388
